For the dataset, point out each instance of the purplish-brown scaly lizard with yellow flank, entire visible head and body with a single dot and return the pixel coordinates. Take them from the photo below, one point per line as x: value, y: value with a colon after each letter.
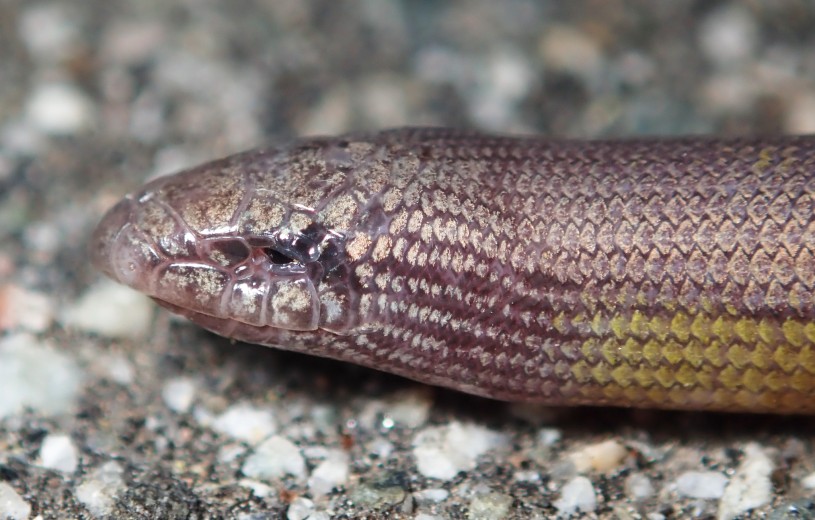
x: 676, y: 273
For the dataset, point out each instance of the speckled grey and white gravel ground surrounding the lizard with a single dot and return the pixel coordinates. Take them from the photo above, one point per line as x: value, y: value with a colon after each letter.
x: 111, y: 408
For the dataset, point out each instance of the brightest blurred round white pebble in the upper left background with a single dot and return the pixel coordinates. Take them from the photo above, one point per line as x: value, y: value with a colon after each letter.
x: 59, y: 108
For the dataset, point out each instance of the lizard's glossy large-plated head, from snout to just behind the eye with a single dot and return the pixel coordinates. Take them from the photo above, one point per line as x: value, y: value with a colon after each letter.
x: 257, y: 237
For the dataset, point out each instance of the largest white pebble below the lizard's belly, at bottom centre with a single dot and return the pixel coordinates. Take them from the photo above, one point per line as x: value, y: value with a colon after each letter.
x: 443, y: 451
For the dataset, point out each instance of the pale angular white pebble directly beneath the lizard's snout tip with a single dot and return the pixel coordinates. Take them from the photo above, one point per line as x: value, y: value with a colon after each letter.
x: 111, y: 310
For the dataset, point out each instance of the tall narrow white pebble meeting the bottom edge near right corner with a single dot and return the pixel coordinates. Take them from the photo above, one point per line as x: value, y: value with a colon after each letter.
x: 750, y: 486
